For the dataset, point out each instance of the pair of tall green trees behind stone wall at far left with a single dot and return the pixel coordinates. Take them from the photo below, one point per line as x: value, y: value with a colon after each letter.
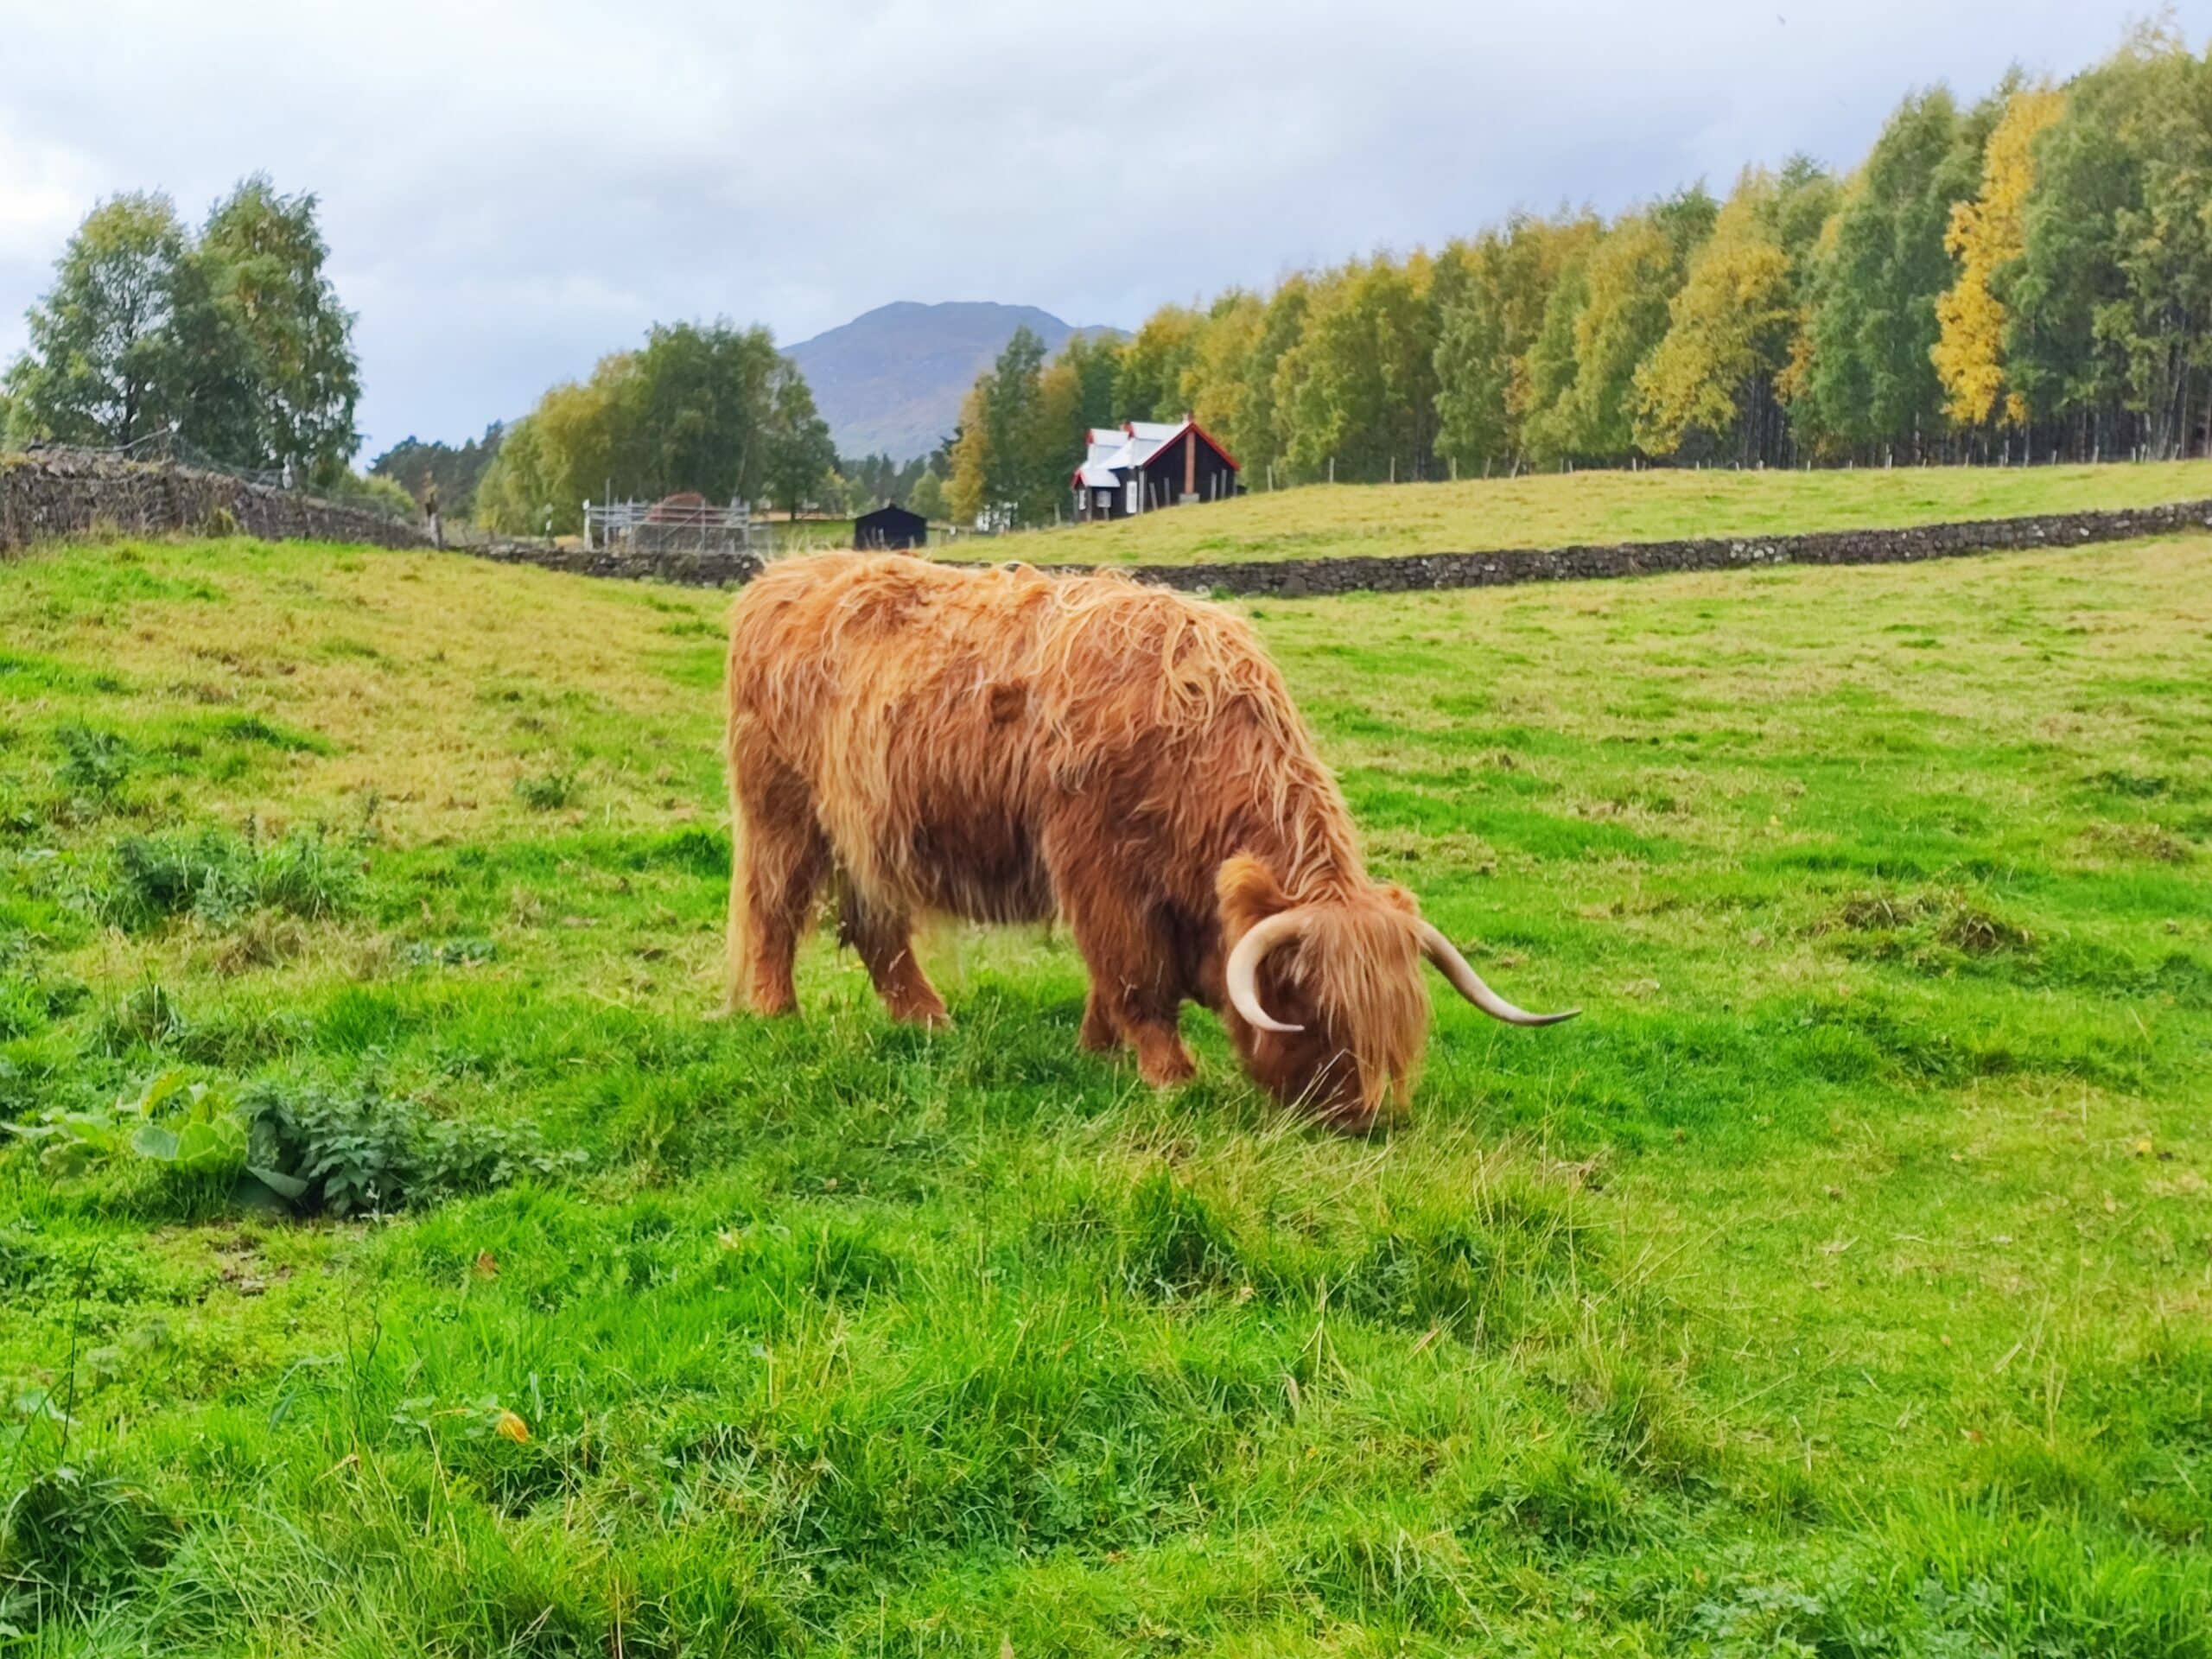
x: 225, y: 344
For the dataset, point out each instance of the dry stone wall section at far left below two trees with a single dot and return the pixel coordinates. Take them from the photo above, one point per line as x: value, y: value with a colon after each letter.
x: 50, y: 494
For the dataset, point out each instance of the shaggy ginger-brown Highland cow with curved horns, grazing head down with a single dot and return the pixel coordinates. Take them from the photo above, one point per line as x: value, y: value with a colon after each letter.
x: 1016, y: 747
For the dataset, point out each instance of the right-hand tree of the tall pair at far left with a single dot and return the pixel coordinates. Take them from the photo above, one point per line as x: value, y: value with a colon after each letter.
x: 264, y: 258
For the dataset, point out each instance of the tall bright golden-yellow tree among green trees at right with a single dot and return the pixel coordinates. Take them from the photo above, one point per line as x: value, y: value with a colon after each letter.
x: 1985, y: 238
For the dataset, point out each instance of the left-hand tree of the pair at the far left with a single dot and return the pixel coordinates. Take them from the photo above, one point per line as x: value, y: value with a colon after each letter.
x: 129, y: 340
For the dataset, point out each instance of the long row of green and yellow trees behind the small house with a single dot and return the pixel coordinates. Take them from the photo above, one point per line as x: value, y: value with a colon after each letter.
x: 2025, y: 278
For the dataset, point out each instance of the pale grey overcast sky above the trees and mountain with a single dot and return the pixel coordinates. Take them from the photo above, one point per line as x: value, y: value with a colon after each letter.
x: 514, y: 191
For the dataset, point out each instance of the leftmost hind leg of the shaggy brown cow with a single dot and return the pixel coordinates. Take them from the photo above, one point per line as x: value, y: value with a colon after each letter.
x: 778, y: 864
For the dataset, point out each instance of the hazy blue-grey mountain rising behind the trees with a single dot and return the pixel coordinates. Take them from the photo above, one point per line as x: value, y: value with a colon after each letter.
x: 890, y: 382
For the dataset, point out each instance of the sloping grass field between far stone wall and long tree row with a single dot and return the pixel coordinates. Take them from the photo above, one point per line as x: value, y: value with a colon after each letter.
x: 1554, y: 510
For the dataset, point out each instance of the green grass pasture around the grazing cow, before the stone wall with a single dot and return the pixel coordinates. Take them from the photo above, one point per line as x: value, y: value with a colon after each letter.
x: 1839, y: 1284
